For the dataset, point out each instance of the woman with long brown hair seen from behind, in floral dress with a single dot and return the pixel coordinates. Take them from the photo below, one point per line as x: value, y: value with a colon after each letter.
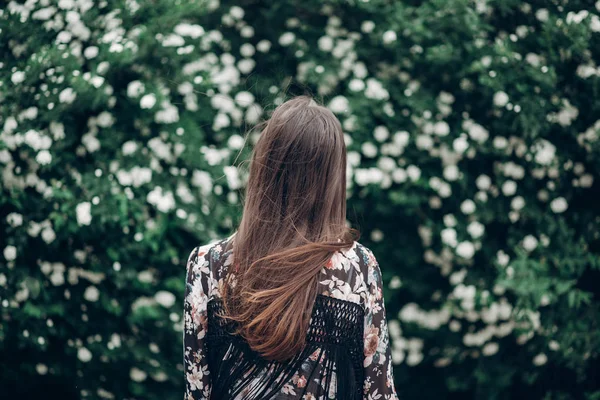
x: 290, y: 306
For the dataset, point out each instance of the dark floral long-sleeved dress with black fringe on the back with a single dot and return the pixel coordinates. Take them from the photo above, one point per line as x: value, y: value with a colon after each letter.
x: 347, y: 353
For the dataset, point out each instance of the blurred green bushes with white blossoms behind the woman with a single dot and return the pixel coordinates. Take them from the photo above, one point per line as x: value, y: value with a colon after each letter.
x: 472, y: 132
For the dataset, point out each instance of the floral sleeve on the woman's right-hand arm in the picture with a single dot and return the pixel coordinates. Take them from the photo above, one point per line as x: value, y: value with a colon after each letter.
x: 379, y: 381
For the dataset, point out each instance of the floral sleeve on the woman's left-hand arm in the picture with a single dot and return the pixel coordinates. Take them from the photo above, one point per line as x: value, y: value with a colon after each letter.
x: 197, y: 376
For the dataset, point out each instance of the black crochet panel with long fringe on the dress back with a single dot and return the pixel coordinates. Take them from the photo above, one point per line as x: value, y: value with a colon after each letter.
x: 330, y: 365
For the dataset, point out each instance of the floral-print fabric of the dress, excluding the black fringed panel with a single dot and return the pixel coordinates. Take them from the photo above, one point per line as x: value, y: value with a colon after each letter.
x: 351, y: 275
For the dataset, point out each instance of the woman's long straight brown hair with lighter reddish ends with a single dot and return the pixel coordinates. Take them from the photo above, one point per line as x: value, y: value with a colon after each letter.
x: 294, y: 220
